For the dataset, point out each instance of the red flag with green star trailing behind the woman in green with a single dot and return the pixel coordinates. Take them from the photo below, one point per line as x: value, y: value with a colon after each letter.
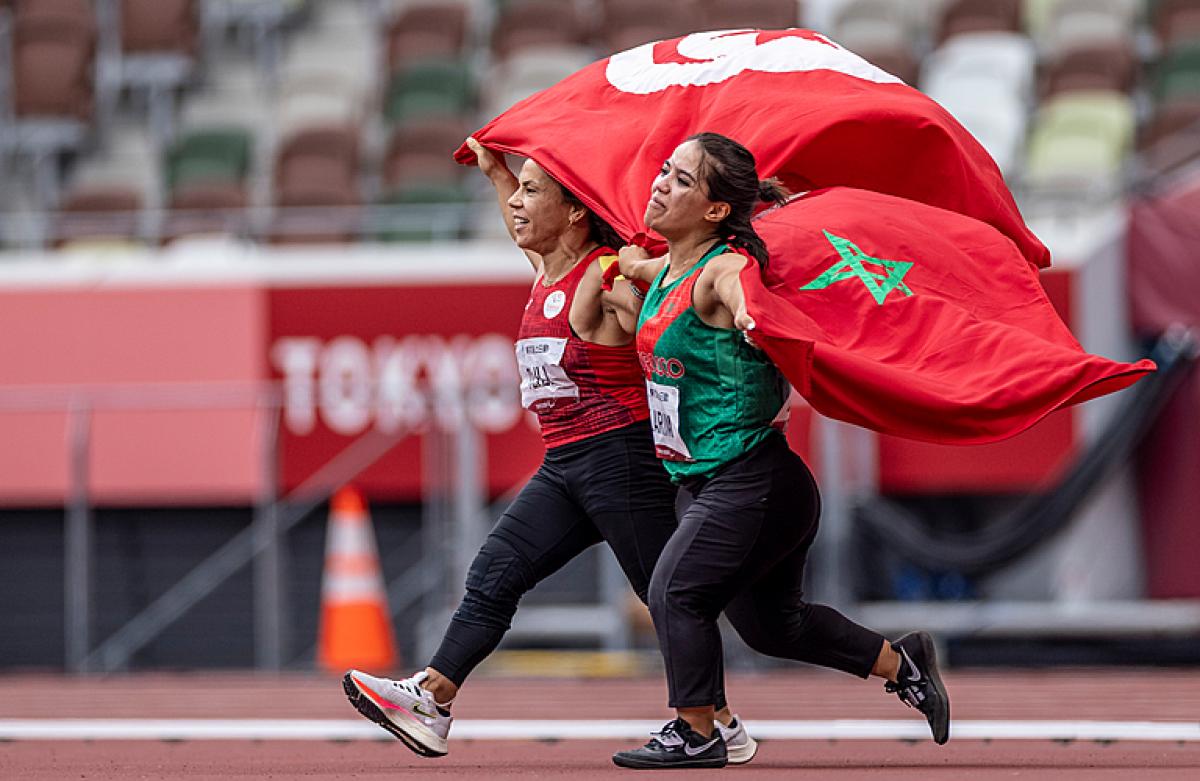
x: 915, y: 321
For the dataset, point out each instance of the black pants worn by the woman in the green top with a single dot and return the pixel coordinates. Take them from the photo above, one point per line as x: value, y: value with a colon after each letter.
x: 741, y: 548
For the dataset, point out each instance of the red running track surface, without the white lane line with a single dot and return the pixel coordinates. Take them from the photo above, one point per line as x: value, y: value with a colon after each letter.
x: 1100, y: 695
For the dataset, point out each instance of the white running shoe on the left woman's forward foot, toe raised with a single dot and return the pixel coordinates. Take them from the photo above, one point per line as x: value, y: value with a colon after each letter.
x: 403, y: 708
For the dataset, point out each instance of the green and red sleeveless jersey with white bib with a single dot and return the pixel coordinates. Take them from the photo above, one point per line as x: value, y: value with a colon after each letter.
x: 712, y: 395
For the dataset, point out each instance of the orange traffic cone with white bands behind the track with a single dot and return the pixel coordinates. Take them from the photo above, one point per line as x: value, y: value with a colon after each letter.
x: 356, y: 623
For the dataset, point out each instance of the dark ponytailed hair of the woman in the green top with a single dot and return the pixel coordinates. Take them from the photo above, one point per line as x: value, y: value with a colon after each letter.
x: 730, y: 175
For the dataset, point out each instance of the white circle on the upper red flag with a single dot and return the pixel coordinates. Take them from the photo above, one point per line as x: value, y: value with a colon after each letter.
x: 723, y: 55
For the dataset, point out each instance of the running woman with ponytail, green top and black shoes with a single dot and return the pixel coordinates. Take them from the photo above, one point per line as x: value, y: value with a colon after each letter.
x: 716, y: 401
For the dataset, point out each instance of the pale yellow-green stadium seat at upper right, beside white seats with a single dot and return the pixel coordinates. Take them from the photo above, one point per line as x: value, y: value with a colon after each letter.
x: 1079, y: 140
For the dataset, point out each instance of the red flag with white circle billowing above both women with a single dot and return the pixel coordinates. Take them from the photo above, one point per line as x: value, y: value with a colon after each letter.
x: 813, y: 113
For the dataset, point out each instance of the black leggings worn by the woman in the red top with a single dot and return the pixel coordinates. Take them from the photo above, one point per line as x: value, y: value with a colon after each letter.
x: 609, y: 488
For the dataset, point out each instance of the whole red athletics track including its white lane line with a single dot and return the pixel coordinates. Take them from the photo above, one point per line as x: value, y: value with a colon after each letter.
x: 1105, y: 724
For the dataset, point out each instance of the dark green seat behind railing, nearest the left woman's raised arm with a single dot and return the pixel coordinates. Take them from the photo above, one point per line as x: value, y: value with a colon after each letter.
x: 423, y: 212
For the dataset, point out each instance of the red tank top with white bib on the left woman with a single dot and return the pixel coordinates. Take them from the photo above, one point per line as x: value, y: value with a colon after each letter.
x: 578, y: 389
